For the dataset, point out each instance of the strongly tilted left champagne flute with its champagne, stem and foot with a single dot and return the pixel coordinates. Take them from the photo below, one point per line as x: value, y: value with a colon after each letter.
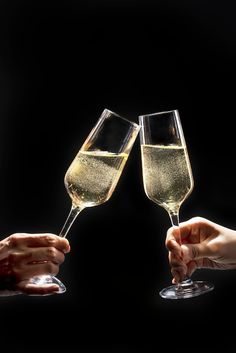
x: 94, y: 173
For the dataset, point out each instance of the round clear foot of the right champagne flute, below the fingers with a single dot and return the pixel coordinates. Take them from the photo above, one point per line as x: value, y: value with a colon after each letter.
x: 187, y: 289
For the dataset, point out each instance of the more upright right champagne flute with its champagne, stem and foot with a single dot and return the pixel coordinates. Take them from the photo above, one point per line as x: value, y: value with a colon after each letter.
x: 168, y: 180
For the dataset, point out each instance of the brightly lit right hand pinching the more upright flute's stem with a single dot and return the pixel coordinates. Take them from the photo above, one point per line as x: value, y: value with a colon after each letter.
x: 205, y: 244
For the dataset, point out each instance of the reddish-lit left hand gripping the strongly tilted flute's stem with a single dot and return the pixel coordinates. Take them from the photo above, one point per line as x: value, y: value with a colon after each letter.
x: 23, y: 256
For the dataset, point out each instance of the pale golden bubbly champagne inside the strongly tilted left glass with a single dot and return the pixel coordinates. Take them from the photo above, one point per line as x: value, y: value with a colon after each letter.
x: 92, y: 177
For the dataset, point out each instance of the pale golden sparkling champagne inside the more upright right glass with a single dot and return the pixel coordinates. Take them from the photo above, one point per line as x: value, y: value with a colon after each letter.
x: 167, y: 174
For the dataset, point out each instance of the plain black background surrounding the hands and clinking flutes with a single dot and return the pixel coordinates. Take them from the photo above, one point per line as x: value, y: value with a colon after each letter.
x: 61, y: 64
